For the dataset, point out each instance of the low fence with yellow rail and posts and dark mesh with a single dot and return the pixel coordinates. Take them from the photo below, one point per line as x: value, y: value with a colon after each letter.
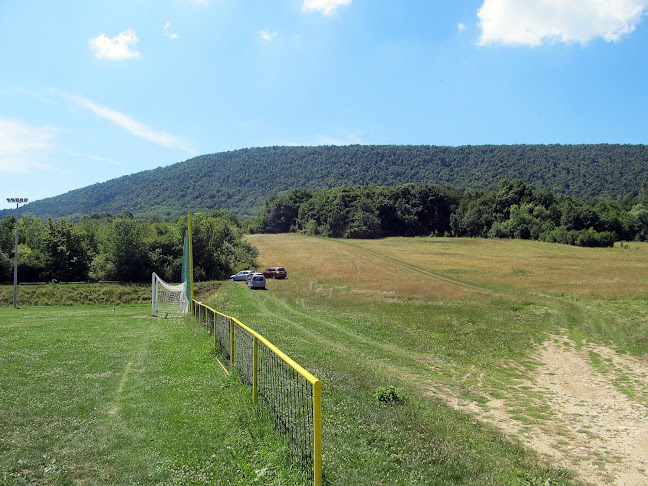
x: 287, y: 393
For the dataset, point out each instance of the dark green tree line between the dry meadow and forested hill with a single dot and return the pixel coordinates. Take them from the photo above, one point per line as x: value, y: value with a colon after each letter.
x: 513, y: 210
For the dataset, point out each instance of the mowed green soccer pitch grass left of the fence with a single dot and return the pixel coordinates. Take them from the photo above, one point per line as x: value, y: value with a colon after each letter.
x: 92, y: 396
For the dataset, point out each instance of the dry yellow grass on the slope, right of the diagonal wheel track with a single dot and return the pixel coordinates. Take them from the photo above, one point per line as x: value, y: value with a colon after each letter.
x: 526, y: 265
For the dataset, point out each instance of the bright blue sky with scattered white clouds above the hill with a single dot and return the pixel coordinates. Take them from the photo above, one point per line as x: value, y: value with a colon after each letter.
x: 94, y: 90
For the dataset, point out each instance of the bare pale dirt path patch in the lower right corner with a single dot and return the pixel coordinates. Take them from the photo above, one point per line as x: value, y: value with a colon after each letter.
x: 597, y: 412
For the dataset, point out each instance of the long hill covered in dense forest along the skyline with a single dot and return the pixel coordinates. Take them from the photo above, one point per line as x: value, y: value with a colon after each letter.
x: 239, y: 181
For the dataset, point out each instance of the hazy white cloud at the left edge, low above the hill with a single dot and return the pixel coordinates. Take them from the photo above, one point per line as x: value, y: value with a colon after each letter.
x: 22, y: 145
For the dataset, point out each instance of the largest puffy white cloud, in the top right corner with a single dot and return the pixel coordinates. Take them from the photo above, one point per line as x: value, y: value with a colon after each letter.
x: 521, y: 22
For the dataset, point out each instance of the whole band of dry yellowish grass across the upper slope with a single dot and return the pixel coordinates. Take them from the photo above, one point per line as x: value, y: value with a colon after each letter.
x: 456, y: 268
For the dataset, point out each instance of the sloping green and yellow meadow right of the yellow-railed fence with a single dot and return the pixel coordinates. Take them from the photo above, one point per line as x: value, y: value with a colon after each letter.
x: 428, y: 316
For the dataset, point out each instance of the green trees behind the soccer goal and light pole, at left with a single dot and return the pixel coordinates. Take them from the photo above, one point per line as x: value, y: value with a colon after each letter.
x: 106, y: 247
